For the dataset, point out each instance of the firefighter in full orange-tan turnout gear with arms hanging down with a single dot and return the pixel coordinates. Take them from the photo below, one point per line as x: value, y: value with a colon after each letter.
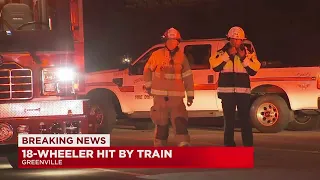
x: 168, y: 78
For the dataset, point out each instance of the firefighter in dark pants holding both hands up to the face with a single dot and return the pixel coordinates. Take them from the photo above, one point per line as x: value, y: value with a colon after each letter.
x: 236, y: 62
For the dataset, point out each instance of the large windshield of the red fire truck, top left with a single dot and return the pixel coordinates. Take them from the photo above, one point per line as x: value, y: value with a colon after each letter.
x: 35, y: 25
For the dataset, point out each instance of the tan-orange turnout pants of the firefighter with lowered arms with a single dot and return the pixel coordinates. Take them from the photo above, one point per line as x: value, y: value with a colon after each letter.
x: 173, y: 108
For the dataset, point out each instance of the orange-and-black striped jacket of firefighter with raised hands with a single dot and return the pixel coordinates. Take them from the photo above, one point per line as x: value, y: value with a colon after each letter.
x: 234, y: 74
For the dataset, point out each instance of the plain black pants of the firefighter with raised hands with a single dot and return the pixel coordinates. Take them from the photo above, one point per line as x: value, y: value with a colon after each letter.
x: 229, y: 104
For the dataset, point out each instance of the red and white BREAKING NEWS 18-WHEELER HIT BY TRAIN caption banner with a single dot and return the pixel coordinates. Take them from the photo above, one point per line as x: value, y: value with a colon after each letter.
x: 94, y: 151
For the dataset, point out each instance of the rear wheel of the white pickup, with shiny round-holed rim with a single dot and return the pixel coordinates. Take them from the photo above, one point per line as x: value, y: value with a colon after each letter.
x: 270, y: 114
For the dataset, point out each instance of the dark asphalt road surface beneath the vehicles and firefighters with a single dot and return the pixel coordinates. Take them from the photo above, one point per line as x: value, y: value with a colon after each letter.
x: 286, y: 155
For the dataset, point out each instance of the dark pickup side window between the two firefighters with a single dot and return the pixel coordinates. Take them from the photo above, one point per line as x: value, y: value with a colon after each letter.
x: 198, y: 56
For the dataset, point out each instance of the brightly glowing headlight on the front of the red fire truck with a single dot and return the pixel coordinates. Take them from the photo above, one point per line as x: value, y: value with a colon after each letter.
x: 59, y: 81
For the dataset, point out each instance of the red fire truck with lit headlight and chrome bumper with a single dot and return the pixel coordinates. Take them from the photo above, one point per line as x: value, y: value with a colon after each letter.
x: 41, y: 71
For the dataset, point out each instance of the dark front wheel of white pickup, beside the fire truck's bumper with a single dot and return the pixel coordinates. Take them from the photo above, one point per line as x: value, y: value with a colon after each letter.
x: 105, y: 115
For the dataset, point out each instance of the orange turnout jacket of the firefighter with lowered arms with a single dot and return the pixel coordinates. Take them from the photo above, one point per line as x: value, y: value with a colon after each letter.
x: 168, y: 79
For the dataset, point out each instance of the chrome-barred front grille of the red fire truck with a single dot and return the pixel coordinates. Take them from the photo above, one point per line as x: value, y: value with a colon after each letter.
x: 15, y: 84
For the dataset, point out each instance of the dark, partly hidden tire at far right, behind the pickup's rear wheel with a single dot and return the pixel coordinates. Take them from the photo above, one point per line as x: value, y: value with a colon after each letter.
x: 303, y: 122
